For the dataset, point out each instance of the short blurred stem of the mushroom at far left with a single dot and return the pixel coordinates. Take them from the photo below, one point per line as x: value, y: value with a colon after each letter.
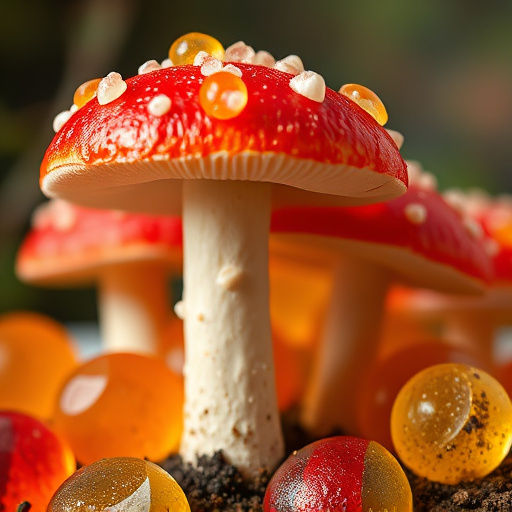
x: 133, y: 304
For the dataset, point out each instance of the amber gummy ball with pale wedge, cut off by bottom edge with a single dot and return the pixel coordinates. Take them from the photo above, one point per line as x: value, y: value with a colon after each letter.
x: 120, y: 484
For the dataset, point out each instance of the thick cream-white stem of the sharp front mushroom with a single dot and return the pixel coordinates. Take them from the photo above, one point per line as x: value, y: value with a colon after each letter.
x: 230, y: 397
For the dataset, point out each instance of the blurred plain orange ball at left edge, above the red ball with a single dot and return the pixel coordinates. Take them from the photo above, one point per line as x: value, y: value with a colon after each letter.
x: 36, y: 355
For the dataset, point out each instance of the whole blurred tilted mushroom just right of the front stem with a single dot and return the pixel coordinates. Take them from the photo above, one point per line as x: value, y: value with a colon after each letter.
x: 417, y: 238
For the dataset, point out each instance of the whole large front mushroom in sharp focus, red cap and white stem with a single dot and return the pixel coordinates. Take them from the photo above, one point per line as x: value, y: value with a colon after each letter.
x: 227, y: 148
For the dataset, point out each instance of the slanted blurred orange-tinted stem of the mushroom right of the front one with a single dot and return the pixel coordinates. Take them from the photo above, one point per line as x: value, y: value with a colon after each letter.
x: 349, y: 343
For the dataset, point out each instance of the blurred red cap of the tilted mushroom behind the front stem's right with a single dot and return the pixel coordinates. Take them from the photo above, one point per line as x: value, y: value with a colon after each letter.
x: 418, y: 236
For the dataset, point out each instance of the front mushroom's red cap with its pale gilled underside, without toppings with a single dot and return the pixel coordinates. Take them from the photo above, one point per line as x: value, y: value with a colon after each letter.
x: 333, y: 147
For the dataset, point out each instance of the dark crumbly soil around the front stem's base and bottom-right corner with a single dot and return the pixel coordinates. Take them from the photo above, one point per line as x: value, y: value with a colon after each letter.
x: 216, y: 486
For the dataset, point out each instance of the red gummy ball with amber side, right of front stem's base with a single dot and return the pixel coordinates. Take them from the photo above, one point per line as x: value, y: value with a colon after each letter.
x: 340, y: 474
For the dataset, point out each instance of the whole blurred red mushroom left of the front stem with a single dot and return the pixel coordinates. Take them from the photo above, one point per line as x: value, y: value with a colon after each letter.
x: 129, y: 256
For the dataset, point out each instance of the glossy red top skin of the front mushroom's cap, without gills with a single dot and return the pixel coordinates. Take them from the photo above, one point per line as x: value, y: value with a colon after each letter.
x: 276, y: 120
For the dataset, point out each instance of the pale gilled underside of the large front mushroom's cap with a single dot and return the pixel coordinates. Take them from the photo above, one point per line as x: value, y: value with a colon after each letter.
x: 156, y: 190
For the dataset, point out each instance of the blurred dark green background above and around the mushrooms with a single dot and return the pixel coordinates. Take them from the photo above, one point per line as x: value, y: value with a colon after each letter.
x: 442, y: 68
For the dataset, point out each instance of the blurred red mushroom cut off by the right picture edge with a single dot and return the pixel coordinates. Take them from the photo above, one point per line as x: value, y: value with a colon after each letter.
x: 473, y: 321
